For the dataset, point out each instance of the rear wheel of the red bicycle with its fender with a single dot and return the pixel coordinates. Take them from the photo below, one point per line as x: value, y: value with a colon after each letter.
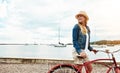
x: 64, y: 68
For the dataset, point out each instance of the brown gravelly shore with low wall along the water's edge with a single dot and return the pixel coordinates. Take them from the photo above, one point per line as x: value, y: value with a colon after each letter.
x: 27, y: 65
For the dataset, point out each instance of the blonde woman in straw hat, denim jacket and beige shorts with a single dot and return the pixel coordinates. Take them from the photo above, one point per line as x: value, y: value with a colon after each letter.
x: 81, y: 39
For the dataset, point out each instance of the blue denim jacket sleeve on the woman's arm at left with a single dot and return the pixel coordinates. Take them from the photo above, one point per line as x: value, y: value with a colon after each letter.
x: 75, y: 35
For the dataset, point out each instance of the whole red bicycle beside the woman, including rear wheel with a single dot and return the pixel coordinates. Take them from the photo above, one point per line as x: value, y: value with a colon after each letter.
x: 71, y: 68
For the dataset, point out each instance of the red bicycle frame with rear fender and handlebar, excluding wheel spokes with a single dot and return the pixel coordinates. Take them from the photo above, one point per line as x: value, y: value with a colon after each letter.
x: 112, y: 67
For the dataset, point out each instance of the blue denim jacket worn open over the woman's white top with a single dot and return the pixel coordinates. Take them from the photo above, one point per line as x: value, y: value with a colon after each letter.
x: 79, y: 39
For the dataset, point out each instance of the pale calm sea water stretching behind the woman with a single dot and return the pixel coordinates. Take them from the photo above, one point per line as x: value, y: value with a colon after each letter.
x: 52, y: 52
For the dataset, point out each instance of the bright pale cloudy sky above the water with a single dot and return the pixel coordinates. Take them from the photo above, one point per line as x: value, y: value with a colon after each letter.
x: 39, y: 21
